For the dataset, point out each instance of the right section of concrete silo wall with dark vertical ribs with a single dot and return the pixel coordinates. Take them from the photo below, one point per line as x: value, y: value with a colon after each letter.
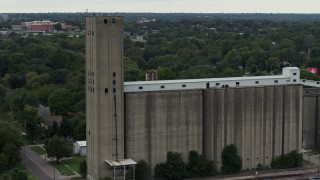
x: 263, y: 122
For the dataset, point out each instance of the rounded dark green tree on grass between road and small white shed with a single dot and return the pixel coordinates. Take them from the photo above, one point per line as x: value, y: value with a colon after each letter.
x: 57, y: 148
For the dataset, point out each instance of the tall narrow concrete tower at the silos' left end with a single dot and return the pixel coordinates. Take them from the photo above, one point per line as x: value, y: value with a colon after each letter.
x: 104, y: 93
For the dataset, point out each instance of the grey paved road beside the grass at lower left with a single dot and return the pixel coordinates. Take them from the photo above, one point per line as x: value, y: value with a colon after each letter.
x: 38, y: 166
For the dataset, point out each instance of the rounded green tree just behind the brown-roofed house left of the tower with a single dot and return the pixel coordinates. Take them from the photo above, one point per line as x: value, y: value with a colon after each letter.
x: 59, y: 101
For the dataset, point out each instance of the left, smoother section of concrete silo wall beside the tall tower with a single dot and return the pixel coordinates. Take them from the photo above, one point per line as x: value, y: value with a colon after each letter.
x: 158, y: 122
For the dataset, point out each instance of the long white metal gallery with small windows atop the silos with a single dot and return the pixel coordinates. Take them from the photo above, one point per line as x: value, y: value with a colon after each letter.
x: 290, y: 75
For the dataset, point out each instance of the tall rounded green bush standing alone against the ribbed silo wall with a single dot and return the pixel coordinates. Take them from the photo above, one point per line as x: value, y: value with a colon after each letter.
x: 231, y: 161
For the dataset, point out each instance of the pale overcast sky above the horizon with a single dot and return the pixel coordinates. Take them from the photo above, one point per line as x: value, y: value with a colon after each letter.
x: 163, y: 6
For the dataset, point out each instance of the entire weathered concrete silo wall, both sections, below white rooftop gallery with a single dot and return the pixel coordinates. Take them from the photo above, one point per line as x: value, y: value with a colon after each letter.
x: 263, y: 122
